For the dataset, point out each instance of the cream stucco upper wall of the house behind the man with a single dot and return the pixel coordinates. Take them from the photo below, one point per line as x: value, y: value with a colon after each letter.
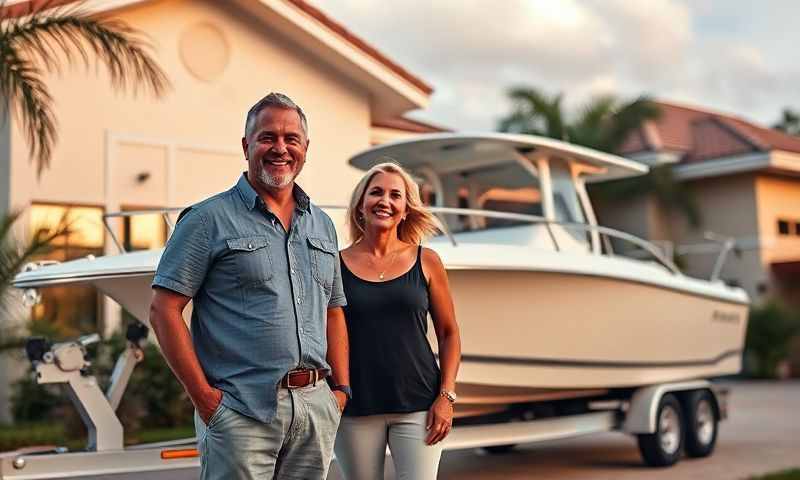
x: 208, y: 115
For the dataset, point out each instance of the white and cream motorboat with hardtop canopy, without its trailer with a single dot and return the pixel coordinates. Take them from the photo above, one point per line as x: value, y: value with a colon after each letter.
x: 548, y: 302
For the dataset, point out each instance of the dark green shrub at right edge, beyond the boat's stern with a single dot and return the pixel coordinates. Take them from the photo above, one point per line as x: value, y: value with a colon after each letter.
x: 769, y: 332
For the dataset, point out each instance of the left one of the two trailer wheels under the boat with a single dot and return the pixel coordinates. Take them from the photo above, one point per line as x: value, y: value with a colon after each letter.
x: 664, y: 447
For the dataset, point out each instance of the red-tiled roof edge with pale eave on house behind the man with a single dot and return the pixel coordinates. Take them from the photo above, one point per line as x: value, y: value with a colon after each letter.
x: 337, y: 39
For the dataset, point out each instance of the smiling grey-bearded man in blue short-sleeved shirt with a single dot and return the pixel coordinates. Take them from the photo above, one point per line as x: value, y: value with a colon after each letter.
x: 261, y: 265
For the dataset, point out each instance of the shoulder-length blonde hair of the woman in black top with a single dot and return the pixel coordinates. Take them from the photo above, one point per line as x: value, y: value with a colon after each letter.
x: 419, y: 223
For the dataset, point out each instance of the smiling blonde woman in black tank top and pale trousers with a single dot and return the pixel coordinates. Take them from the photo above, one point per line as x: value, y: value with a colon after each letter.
x: 400, y: 397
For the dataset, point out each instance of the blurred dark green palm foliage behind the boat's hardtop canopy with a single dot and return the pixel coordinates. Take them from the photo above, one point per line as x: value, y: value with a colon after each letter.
x: 604, y: 124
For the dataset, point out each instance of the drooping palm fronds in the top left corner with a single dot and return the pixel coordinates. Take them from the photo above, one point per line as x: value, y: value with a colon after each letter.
x: 34, y: 39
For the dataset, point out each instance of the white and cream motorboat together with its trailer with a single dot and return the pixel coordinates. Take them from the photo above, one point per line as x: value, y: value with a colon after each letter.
x: 559, y: 316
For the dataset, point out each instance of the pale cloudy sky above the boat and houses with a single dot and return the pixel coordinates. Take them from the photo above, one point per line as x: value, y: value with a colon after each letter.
x: 732, y: 56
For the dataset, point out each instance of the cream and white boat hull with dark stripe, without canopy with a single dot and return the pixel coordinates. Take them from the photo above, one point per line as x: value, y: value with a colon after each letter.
x: 535, y: 321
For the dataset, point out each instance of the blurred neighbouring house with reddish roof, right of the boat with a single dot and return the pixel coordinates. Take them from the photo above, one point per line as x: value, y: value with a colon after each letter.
x: 746, y: 181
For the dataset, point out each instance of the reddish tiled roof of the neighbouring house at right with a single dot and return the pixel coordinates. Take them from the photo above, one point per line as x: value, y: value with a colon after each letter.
x: 697, y: 135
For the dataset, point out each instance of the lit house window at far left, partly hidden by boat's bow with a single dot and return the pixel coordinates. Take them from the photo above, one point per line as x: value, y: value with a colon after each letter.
x: 69, y: 310
